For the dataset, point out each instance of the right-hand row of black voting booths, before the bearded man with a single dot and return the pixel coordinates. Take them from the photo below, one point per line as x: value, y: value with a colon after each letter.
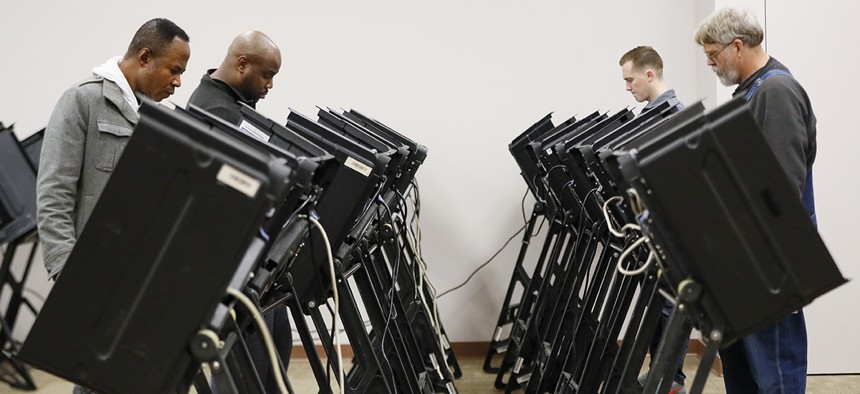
x: 685, y: 206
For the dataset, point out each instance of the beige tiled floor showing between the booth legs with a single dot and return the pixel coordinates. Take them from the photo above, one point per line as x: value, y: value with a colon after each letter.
x: 475, y: 381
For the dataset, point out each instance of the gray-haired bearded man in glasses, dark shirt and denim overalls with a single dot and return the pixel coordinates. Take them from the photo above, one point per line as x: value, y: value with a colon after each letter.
x: 774, y: 359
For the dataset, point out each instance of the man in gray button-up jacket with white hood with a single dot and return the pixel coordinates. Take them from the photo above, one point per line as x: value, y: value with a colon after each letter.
x: 90, y: 126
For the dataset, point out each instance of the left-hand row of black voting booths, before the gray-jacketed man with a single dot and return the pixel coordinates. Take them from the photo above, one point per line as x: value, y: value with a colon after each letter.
x: 197, y: 207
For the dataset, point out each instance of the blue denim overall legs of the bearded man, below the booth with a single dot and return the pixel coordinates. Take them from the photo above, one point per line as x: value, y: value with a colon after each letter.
x: 772, y: 360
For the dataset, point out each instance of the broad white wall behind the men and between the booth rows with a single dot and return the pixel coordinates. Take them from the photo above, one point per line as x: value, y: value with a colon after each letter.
x: 463, y: 78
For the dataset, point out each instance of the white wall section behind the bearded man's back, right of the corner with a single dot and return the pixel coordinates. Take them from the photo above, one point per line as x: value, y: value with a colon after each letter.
x: 818, y: 43
